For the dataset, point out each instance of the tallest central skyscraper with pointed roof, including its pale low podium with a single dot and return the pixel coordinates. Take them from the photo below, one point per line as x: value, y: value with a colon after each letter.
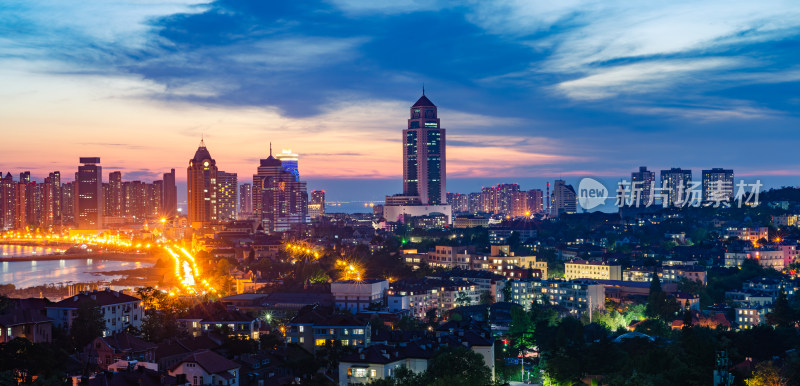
x: 424, y: 166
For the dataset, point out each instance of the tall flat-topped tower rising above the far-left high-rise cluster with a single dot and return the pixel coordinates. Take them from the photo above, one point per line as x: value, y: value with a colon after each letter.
x: 89, y: 194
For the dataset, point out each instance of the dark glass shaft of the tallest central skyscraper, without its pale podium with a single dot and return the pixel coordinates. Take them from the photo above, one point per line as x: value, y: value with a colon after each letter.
x: 424, y: 158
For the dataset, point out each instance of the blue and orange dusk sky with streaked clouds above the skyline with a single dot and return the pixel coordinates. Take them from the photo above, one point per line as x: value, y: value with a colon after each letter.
x: 527, y: 90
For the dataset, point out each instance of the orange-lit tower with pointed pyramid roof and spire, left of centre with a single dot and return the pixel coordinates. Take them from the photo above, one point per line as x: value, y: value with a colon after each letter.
x: 201, y: 184
